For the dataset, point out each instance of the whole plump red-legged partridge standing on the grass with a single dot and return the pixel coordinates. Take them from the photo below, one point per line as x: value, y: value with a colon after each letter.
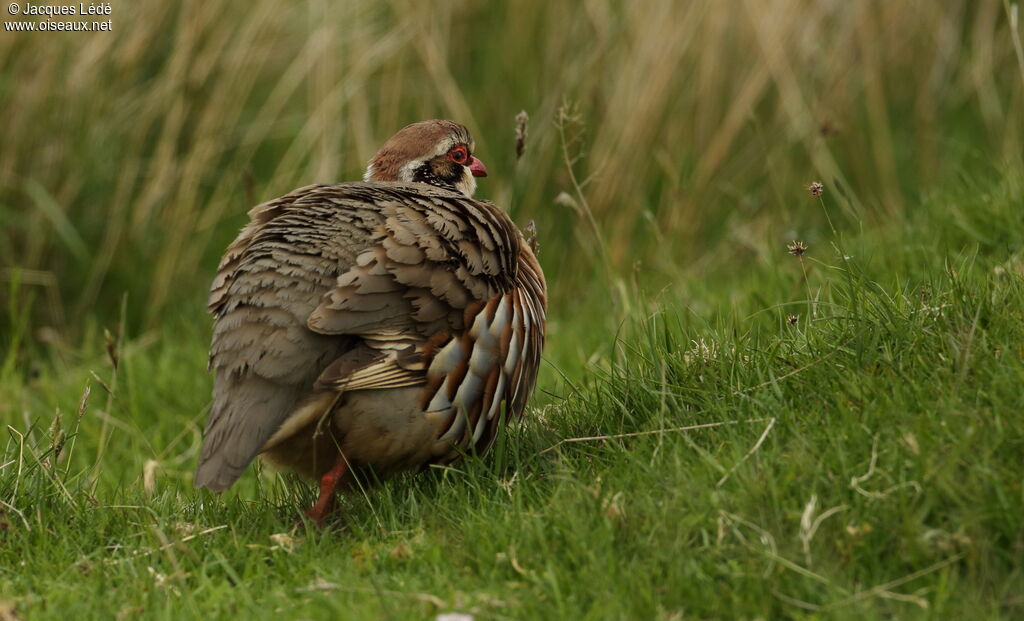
x: 379, y: 326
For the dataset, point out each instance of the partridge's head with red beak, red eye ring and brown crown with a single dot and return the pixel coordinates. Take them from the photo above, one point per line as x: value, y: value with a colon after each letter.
x: 439, y: 153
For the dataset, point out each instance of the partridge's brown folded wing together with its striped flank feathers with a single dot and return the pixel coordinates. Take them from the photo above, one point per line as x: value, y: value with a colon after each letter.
x: 458, y: 275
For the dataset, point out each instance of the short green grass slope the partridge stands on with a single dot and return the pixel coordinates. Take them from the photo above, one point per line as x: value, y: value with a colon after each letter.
x: 863, y: 463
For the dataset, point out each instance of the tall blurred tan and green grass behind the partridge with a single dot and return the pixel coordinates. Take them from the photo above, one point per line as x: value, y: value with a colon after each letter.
x: 130, y: 159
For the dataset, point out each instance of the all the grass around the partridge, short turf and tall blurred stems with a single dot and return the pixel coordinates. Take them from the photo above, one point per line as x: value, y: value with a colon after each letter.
x: 836, y: 436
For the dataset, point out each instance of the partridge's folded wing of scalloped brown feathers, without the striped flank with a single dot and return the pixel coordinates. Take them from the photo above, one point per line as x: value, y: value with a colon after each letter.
x: 431, y: 262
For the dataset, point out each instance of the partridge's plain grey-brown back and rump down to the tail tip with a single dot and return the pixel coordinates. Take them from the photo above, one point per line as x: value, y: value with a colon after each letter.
x: 264, y: 356
